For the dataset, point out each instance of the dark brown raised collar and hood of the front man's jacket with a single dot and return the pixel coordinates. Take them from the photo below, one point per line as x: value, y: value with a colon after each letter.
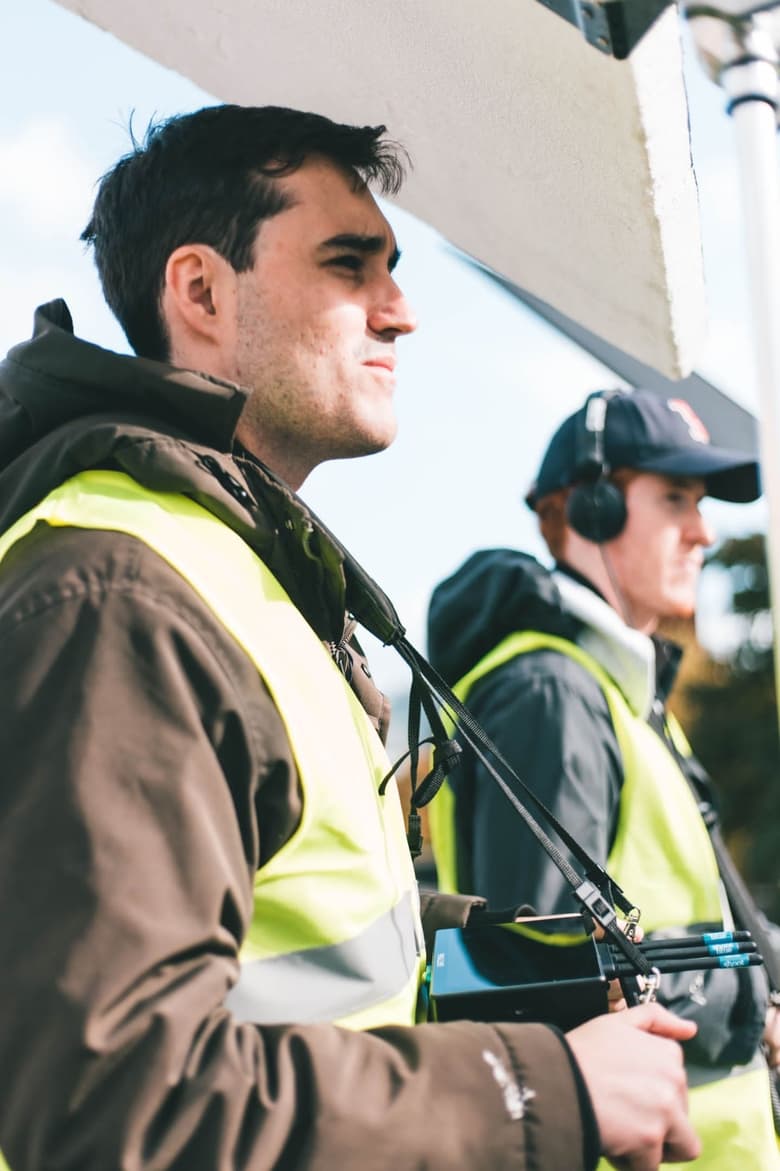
x: 67, y: 406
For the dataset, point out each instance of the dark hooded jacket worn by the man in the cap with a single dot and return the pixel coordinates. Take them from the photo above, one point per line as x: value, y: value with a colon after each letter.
x: 550, y: 718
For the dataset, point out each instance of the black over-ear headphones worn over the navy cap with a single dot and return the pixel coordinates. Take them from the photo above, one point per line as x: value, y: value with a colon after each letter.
x: 596, y: 508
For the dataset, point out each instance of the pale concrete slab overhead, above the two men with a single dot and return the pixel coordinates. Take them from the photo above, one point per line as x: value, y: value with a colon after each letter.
x: 567, y: 172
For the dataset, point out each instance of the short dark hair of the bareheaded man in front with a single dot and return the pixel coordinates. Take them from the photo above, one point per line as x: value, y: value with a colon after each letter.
x: 209, y: 179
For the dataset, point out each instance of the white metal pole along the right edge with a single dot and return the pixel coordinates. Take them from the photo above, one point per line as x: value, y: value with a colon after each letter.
x: 743, y: 58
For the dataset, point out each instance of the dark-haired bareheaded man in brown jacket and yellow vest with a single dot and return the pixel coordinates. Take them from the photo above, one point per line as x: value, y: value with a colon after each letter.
x: 213, y: 936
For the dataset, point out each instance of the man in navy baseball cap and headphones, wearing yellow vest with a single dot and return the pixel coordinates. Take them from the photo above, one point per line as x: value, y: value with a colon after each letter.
x: 567, y: 675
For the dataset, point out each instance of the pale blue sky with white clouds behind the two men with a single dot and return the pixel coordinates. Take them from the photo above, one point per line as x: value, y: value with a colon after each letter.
x: 481, y: 386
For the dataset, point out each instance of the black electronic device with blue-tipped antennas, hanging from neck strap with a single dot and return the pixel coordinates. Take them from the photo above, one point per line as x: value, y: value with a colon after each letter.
x: 551, y: 969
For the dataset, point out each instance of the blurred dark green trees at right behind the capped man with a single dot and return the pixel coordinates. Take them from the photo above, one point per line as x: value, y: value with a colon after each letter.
x: 733, y: 722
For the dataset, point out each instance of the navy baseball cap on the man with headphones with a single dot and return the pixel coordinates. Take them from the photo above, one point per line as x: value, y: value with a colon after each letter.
x: 651, y: 434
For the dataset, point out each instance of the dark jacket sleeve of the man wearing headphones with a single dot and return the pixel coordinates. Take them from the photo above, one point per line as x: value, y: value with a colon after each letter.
x: 551, y: 721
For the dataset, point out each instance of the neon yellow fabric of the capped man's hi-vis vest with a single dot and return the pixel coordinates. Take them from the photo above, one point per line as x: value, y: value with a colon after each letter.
x: 663, y: 859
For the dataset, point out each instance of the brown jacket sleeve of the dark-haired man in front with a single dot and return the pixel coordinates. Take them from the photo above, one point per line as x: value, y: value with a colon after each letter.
x: 146, y: 775
